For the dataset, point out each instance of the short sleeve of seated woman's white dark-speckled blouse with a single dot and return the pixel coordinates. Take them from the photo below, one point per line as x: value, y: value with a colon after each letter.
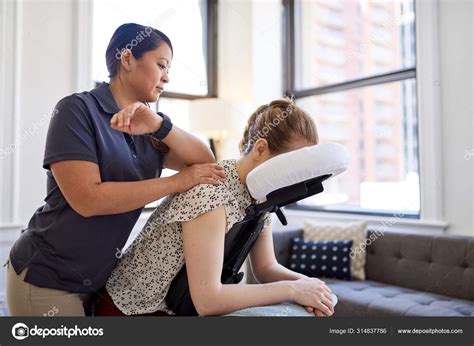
x: 189, y: 205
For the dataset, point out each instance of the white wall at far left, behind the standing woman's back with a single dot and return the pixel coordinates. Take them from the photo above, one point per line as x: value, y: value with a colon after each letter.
x: 39, y: 35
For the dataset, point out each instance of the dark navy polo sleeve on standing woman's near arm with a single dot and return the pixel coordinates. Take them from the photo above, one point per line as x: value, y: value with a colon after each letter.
x: 71, y: 134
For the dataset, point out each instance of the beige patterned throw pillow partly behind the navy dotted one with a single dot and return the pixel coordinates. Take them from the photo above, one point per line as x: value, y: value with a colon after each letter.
x: 335, y: 231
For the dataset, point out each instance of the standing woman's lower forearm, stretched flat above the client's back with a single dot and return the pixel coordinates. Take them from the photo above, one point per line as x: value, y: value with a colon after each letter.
x: 119, y: 197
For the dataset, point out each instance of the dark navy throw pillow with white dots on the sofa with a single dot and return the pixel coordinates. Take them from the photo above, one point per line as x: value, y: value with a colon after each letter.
x: 328, y: 259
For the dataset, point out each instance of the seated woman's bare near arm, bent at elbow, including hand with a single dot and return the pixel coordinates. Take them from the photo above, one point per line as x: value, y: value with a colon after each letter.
x: 204, y: 251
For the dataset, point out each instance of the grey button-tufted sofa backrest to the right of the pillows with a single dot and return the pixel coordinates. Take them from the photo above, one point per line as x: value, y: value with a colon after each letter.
x: 442, y: 264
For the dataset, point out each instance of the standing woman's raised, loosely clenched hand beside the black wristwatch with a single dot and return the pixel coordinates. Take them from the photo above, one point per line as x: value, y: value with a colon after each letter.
x: 136, y: 119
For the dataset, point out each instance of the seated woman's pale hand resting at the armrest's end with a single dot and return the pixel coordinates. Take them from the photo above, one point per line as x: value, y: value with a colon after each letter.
x: 313, y: 293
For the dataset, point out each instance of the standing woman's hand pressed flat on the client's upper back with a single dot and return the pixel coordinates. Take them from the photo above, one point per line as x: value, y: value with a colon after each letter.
x: 201, y: 173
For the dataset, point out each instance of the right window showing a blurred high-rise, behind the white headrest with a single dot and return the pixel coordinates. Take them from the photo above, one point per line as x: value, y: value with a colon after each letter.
x: 358, y: 80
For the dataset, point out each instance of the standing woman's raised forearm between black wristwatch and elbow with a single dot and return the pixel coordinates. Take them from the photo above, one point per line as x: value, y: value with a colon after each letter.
x: 188, y: 147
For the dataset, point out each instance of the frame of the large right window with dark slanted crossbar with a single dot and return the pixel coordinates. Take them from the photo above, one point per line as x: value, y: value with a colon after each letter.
x: 290, y: 90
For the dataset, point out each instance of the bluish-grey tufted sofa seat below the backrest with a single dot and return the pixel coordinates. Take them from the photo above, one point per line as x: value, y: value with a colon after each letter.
x: 369, y: 298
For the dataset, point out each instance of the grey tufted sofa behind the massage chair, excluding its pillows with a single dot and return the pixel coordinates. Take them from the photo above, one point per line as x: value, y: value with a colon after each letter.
x: 407, y: 274
